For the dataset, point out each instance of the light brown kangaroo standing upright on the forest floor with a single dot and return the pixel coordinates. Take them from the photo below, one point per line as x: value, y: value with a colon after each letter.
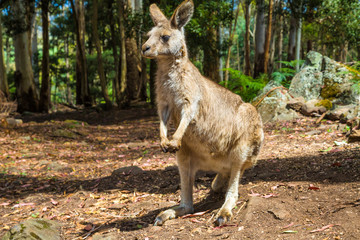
x: 215, y: 129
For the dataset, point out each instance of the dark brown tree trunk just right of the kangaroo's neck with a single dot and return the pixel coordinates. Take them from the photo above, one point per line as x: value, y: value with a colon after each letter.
x: 212, y: 55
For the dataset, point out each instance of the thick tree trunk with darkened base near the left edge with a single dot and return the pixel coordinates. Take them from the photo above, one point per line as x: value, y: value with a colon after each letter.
x: 27, y: 97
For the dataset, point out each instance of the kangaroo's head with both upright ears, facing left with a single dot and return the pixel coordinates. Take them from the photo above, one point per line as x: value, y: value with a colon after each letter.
x: 167, y: 37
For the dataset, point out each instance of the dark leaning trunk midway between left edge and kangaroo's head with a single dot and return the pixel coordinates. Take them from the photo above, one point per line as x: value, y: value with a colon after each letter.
x: 82, y: 85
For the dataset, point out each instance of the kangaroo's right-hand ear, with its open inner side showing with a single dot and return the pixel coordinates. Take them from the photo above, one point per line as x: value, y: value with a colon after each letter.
x: 182, y: 14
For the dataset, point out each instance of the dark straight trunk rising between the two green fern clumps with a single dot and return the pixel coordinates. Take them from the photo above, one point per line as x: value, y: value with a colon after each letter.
x: 259, y: 39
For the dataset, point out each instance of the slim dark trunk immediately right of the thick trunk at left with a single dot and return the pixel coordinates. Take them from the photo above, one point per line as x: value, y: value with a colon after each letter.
x: 45, y: 101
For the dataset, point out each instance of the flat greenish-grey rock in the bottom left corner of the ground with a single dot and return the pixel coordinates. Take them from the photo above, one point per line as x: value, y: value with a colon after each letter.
x: 35, y: 229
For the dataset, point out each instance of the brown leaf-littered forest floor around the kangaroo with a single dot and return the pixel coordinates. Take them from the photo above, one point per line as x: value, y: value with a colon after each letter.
x: 104, y: 175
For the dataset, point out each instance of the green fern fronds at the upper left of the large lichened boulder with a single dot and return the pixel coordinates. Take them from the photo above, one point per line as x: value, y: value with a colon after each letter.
x: 285, y: 74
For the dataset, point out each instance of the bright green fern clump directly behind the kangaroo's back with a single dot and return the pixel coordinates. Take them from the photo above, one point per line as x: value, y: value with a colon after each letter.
x: 244, y: 85
